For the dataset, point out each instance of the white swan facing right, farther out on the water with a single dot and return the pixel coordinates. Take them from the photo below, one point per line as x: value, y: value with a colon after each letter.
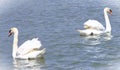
x: 93, y: 27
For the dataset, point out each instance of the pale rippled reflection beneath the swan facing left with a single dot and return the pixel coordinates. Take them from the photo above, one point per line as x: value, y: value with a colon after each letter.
x: 34, y: 64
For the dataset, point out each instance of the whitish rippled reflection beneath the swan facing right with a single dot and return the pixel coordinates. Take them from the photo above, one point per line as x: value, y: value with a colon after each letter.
x: 94, y: 40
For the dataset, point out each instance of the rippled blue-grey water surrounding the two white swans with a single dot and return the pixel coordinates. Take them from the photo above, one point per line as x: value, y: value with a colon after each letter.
x: 55, y: 23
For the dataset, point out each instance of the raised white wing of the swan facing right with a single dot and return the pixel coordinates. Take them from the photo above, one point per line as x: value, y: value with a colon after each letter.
x: 94, y: 24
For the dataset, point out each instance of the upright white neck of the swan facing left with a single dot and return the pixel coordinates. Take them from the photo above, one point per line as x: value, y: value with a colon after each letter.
x: 15, y: 44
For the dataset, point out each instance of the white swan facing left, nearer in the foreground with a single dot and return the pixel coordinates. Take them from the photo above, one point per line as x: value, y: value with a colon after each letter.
x: 29, y: 49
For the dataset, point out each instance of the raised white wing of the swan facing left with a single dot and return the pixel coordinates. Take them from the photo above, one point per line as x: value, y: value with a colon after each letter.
x: 29, y: 45
